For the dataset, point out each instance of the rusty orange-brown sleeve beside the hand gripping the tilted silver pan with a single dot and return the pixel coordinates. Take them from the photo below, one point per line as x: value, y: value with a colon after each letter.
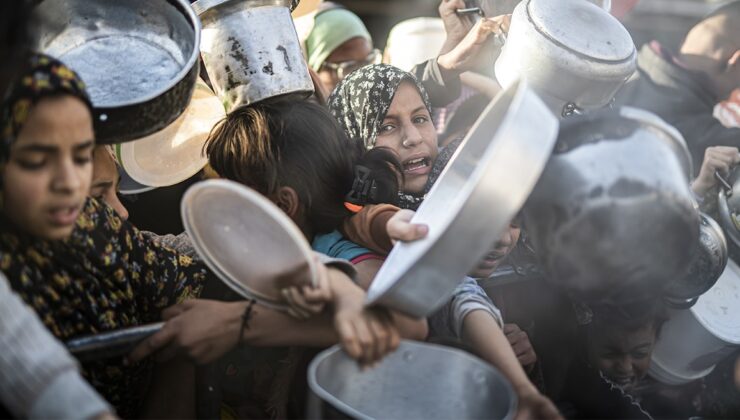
x: 368, y: 227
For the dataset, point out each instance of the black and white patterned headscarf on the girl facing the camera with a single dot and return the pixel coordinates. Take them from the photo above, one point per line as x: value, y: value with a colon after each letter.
x: 361, y: 101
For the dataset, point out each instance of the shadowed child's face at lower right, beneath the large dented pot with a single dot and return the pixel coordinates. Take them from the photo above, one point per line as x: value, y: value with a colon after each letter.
x: 623, y: 356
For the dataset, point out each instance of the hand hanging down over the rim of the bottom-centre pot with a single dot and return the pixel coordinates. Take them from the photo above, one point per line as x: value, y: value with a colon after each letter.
x: 366, y: 334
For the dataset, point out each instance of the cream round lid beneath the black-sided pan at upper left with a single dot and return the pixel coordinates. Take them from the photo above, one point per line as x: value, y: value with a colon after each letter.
x: 175, y: 153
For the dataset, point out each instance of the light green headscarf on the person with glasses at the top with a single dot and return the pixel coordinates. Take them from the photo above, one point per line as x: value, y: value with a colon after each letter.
x: 332, y: 28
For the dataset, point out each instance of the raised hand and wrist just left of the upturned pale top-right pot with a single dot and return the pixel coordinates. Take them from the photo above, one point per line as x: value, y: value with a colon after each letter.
x: 463, y: 56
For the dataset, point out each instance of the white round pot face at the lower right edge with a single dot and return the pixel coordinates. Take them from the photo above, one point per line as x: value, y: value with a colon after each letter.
x: 718, y: 310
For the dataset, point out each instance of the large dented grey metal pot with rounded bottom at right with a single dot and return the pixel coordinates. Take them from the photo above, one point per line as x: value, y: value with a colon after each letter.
x: 612, y: 217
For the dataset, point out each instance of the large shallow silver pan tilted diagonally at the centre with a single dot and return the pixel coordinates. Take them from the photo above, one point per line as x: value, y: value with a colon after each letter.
x: 483, y: 187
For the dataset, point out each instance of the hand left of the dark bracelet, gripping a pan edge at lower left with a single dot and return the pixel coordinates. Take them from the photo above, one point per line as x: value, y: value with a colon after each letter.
x: 204, y: 330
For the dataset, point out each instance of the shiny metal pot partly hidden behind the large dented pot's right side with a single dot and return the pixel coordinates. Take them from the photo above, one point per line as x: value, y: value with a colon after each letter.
x: 710, y: 260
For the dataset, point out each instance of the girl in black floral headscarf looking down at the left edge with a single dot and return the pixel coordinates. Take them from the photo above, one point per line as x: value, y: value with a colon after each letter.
x: 71, y: 258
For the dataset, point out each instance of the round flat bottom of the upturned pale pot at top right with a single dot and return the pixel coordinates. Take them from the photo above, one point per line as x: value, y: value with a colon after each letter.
x: 583, y: 28
